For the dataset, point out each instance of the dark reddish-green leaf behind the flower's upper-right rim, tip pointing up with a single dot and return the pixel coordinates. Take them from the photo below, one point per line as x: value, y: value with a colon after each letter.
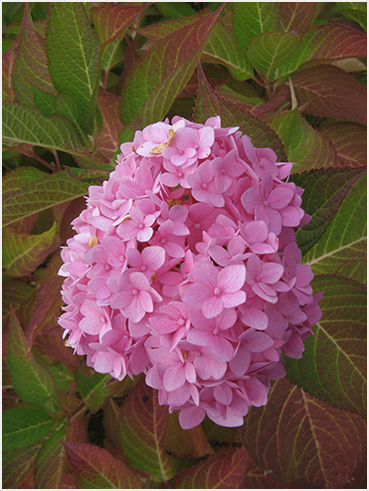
x: 210, y: 103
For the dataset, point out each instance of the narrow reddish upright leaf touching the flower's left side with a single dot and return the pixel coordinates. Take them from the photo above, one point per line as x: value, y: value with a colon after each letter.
x: 48, y: 300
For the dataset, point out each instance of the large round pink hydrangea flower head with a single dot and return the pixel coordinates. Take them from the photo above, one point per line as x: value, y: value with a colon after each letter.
x: 184, y: 266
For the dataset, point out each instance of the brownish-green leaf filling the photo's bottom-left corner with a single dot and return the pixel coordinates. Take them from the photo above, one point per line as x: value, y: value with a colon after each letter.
x: 17, y: 464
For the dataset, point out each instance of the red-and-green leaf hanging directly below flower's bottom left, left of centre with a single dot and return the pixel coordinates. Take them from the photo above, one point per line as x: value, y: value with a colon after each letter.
x: 142, y: 430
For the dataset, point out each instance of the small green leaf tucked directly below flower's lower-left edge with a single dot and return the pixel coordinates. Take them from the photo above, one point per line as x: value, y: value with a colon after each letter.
x: 94, y: 389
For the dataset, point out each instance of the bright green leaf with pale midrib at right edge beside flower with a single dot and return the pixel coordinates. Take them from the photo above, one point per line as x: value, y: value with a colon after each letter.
x: 343, y: 247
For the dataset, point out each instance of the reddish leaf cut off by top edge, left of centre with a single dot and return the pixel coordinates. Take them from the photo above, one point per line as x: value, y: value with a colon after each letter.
x: 112, y: 19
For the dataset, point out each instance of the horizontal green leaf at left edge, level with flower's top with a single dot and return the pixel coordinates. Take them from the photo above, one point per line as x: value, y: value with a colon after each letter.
x: 26, y: 124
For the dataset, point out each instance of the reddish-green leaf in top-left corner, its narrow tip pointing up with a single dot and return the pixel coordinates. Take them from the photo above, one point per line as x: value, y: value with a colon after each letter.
x: 30, y: 67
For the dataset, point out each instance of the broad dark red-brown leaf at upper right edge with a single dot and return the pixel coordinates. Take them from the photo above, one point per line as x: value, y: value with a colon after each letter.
x: 328, y: 91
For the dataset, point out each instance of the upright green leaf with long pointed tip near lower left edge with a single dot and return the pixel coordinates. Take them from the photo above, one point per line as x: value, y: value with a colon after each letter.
x: 31, y: 379
